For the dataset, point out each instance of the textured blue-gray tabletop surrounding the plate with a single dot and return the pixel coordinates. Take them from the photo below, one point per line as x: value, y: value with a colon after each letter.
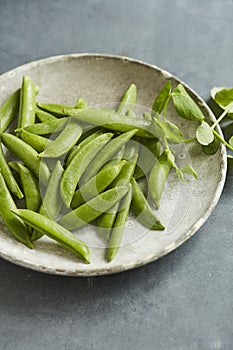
x: 185, y: 300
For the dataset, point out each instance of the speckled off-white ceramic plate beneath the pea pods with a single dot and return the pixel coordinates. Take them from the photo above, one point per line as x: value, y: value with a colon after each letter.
x: 185, y: 206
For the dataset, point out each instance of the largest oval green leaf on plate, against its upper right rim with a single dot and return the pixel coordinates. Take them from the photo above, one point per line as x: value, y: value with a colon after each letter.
x: 184, y: 104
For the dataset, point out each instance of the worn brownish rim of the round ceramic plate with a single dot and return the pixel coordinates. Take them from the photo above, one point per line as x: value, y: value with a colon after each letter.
x: 177, y: 243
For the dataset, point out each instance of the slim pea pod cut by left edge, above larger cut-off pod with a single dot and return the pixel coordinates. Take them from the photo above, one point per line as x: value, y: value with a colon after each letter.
x: 8, y: 176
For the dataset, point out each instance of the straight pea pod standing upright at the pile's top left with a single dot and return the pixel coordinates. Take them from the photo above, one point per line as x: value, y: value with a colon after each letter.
x: 27, y: 103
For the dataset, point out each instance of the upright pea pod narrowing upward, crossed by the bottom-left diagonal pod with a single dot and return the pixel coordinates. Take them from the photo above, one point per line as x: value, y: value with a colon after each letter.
x: 52, y: 201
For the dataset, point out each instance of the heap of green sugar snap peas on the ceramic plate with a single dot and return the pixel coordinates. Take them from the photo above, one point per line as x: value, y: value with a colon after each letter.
x: 77, y: 165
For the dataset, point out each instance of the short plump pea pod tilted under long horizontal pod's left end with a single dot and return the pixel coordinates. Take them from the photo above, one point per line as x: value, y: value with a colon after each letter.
x: 64, y: 141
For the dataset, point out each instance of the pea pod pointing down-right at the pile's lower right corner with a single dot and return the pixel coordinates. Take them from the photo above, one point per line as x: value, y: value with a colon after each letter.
x: 142, y: 208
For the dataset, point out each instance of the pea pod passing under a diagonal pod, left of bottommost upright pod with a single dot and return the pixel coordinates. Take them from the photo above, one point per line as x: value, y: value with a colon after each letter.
x: 105, y: 221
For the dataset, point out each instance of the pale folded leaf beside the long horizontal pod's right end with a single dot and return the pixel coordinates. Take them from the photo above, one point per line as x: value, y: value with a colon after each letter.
x: 169, y: 130
